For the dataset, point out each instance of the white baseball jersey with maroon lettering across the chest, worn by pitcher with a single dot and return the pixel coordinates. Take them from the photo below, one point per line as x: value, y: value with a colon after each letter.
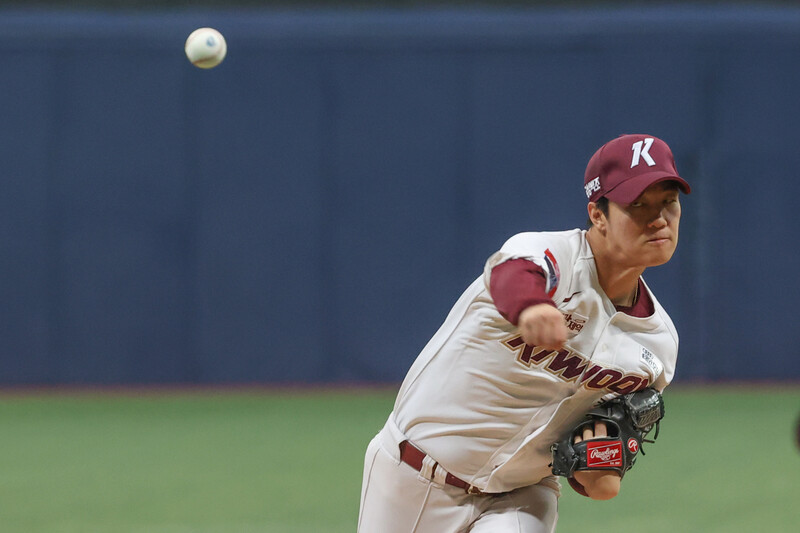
x: 487, y: 407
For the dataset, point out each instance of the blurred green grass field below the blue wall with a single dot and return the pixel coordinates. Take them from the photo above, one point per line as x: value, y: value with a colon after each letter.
x: 290, y: 462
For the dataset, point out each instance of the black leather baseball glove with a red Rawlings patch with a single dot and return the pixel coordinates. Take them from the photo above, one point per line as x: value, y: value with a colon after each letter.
x: 629, y: 419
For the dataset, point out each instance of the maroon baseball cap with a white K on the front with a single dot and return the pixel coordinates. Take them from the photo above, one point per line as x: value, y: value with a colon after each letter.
x: 624, y: 167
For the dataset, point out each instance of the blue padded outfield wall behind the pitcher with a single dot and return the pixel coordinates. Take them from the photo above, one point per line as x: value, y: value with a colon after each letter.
x: 308, y: 211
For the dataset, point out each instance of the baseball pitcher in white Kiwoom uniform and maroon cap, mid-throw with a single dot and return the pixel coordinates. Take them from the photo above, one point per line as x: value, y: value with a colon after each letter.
x: 551, y: 364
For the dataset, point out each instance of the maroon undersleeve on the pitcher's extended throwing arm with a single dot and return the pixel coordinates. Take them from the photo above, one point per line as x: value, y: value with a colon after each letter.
x: 517, y: 284
